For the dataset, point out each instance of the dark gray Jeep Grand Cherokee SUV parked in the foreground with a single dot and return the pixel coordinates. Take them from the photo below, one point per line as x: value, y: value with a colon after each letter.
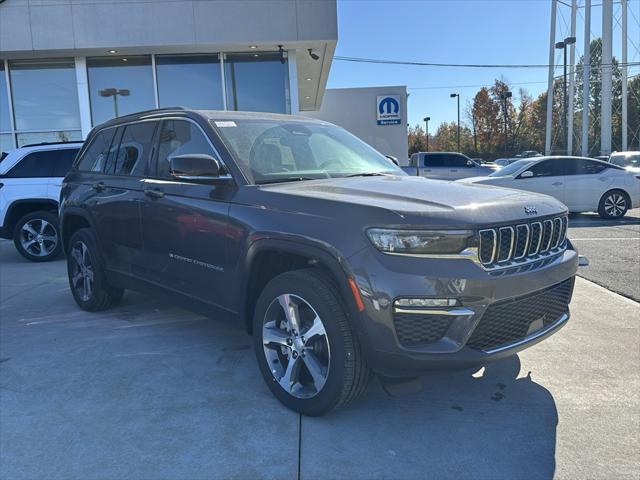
x: 335, y: 260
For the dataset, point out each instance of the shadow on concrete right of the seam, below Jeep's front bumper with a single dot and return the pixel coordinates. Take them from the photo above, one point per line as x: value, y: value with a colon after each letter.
x: 459, y: 426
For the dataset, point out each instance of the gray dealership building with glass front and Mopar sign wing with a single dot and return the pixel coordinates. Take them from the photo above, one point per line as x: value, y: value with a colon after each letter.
x: 68, y: 65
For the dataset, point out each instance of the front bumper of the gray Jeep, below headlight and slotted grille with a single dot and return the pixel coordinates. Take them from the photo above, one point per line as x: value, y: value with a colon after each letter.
x: 389, y: 345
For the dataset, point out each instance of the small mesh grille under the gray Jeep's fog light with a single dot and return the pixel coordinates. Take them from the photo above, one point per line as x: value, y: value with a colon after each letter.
x: 415, y: 330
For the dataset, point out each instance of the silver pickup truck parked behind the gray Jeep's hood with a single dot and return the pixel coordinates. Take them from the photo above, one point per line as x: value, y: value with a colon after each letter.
x: 445, y: 166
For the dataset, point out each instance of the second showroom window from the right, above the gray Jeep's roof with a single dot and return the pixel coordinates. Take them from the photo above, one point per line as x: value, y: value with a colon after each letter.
x: 190, y: 81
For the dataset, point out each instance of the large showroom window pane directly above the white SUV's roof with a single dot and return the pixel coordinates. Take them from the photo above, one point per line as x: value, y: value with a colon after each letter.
x: 45, y: 94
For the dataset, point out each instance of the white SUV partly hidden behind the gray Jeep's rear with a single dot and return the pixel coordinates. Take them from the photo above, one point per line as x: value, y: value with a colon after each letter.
x: 30, y: 181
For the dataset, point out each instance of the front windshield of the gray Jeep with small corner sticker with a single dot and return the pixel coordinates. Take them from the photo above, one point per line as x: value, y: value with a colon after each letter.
x: 272, y: 151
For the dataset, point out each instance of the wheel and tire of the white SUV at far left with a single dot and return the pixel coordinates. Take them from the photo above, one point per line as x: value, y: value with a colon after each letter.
x: 36, y: 236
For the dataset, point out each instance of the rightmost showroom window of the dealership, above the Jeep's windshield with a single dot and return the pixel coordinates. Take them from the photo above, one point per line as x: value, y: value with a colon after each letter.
x: 256, y: 82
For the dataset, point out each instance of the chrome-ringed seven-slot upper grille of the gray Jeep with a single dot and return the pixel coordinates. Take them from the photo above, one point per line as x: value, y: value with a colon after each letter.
x: 504, y: 246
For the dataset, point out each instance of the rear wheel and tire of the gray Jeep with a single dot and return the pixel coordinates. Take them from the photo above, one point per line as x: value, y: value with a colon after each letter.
x: 87, y: 278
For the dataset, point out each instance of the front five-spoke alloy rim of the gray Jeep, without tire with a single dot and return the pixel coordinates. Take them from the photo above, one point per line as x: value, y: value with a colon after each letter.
x: 296, y: 346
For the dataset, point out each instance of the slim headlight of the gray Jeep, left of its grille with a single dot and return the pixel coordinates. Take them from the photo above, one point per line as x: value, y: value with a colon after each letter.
x: 420, y: 242
